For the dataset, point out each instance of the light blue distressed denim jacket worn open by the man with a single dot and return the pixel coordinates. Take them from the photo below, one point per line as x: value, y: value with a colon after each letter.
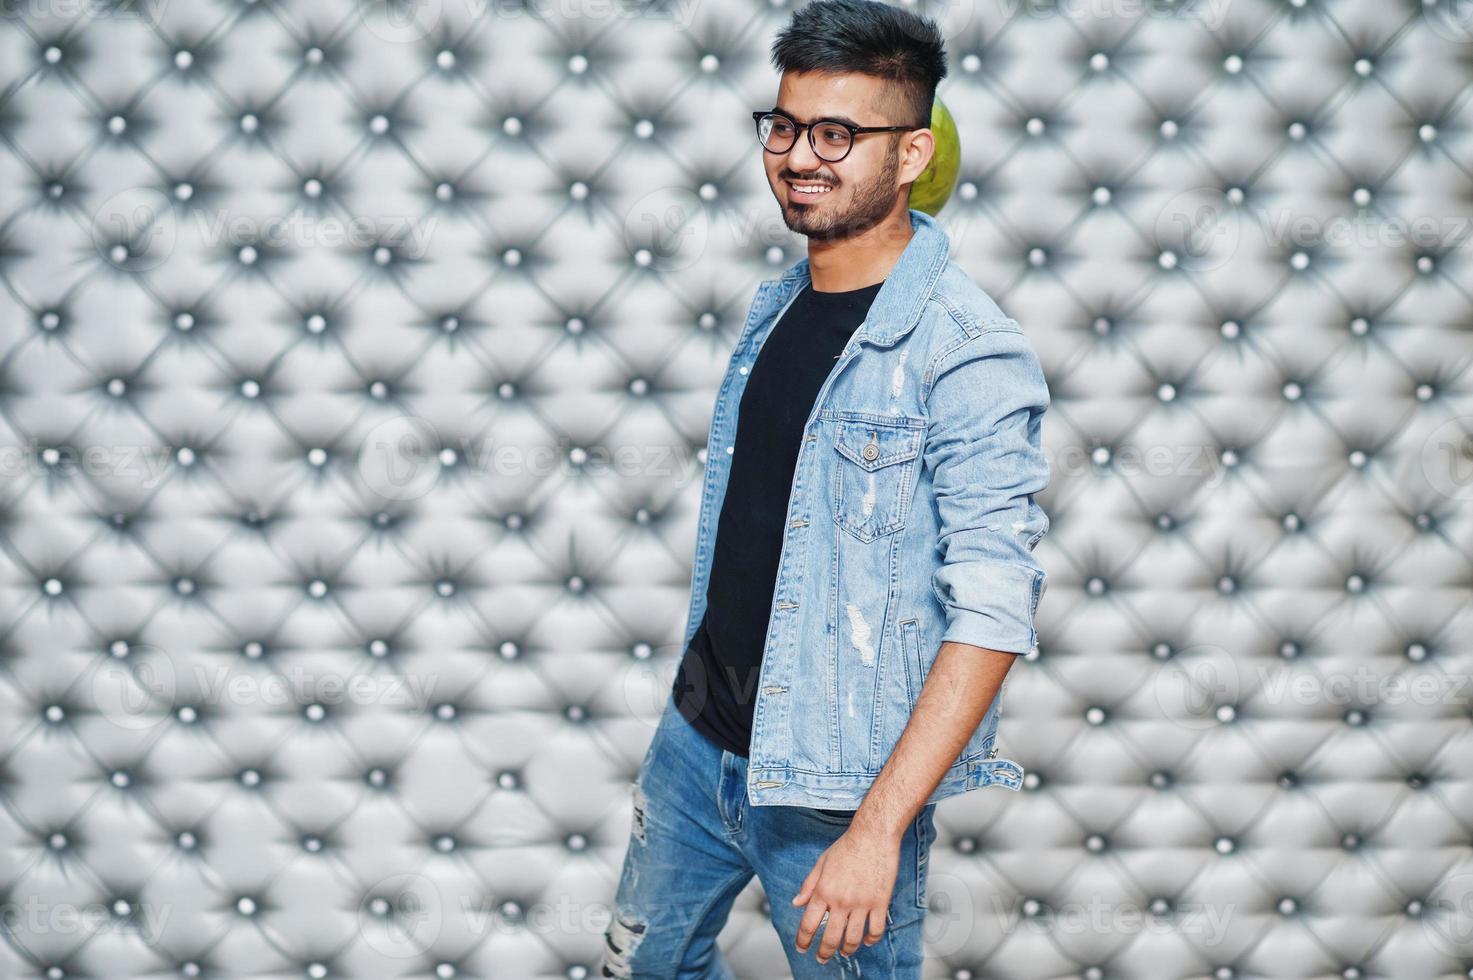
x: 911, y: 522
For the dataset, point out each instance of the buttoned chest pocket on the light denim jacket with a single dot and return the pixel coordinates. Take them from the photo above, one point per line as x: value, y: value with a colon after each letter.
x: 874, y: 475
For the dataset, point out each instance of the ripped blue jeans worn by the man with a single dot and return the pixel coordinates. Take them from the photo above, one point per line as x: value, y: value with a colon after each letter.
x: 695, y: 847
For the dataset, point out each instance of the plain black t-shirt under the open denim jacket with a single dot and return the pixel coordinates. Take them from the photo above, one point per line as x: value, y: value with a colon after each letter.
x: 717, y: 683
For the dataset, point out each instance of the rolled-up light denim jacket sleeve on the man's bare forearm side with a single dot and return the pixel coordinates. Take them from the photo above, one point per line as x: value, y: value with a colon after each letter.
x: 986, y: 459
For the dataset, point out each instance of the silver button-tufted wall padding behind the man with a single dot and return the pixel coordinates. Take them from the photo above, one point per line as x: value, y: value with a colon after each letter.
x: 357, y: 368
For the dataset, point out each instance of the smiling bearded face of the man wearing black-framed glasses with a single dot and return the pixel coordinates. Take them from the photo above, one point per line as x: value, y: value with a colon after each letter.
x: 867, y: 186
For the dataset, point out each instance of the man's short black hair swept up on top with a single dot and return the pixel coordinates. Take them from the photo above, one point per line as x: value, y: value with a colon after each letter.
x: 871, y: 39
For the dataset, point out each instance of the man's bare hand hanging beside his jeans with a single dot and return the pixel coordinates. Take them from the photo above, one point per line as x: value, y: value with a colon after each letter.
x: 852, y: 882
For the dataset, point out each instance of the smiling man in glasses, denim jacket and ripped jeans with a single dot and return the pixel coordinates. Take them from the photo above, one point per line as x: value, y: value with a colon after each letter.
x: 864, y: 565
